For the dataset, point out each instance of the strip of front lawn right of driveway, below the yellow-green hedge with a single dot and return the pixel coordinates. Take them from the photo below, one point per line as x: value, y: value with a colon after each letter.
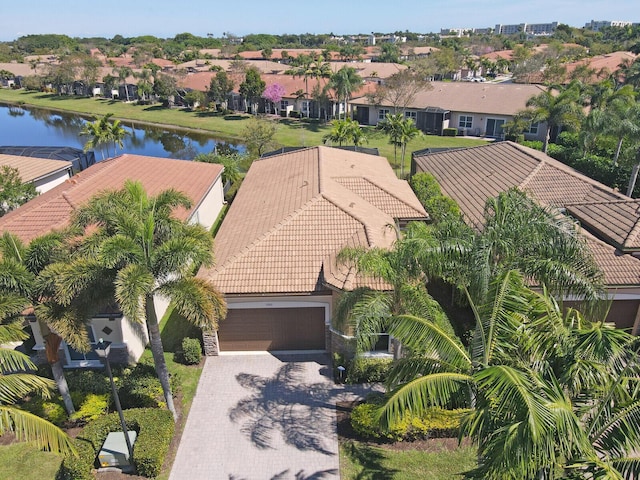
x: 365, y: 462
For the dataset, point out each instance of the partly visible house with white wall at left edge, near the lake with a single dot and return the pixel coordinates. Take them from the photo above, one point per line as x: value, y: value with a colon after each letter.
x: 43, y: 173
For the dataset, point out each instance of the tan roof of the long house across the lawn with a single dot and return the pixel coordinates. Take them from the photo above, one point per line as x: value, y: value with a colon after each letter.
x: 470, y: 97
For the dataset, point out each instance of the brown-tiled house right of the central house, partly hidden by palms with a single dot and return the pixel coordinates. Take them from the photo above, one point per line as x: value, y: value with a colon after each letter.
x: 610, y: 221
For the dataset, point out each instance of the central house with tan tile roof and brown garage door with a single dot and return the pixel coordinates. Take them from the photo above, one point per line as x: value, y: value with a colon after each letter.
x: 276, y: 249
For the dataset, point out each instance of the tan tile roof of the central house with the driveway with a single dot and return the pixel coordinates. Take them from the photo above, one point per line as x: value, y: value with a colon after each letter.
x: 296, y: 210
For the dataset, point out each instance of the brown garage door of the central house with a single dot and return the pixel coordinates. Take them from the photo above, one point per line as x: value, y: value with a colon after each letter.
x: 272, y: 329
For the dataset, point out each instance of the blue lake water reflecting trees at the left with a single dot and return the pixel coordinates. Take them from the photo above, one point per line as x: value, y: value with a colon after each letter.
x: 36, y: 127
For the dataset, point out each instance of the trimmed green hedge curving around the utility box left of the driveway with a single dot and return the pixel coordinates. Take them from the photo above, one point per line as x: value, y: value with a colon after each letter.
x: 154, y: 427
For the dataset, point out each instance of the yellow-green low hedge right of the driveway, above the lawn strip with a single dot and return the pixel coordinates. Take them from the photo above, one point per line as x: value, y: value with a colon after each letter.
x: 435, y: 423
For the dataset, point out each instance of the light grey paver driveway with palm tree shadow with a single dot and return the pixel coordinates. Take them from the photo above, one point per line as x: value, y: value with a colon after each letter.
x: 257, y: 417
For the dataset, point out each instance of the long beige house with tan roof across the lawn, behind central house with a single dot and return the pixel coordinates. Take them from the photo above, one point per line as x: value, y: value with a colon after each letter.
x: 477, y: 109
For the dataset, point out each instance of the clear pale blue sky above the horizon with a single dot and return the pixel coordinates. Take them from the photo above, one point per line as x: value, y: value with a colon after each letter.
x: 164, y: 18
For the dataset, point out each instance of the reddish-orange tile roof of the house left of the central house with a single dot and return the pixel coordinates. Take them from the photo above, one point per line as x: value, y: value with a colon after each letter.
x: 52, y: 210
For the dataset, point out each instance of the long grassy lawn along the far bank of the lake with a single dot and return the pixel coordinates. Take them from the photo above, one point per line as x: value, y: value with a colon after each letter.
x: 230, y: 127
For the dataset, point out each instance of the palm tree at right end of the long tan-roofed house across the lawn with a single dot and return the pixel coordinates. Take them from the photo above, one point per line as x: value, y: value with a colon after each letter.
x: 563, y: 109
